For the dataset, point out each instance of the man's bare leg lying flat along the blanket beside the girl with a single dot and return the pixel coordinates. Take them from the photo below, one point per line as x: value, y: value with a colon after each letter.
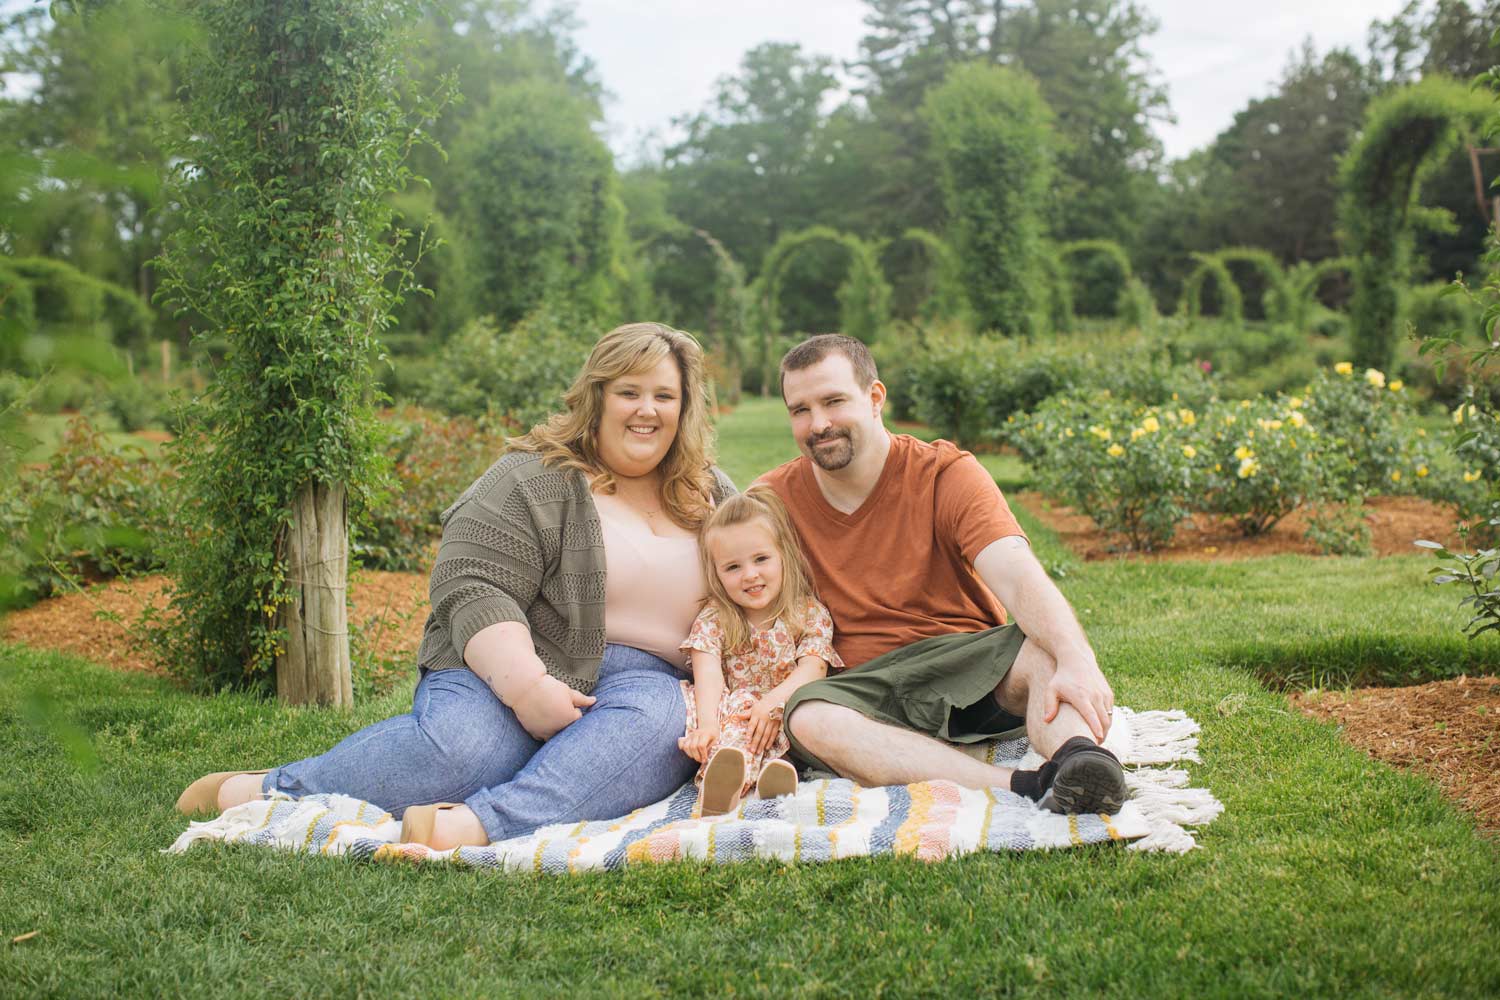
x: 874, y: 753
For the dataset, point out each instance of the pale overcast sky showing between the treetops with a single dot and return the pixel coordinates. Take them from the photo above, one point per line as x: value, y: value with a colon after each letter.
x: 661, y: 58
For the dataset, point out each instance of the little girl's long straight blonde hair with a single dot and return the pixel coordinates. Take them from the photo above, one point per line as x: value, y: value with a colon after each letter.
x: 797, y: 581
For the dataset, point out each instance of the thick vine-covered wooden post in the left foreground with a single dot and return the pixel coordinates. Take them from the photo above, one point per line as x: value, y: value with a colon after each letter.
x: 293, y: 140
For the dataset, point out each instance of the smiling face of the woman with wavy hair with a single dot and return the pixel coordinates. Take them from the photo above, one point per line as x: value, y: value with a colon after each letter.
x: 638, y: 421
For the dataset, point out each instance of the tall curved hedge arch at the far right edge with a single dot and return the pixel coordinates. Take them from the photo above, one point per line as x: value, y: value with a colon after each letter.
x: 1406, y: 134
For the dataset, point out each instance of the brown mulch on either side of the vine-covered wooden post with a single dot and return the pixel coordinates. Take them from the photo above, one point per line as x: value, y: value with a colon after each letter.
x: 389, y: 606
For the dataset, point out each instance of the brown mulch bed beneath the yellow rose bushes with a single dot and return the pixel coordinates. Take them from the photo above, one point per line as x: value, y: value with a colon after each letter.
x: 1396, y: 522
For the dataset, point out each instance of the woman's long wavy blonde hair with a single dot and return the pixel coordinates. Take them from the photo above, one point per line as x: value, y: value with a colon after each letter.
x: 571, y: 440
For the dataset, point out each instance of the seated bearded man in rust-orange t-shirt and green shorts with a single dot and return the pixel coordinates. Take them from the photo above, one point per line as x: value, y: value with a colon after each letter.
x: 919, y: 558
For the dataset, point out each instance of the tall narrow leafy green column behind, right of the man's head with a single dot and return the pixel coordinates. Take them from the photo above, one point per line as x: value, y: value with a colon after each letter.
x: 992, y: 137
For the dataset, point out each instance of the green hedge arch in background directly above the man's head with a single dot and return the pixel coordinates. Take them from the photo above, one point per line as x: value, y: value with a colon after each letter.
x: 865, y: 298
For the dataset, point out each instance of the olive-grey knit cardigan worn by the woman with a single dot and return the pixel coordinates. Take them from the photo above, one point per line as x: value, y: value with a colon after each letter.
x: 524, y: 545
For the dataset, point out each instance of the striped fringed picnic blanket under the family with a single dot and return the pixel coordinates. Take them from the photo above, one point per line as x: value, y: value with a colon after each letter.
x: 826, y: 821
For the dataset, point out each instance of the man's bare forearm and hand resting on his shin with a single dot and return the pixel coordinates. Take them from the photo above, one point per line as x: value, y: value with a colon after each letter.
x: 1034, y: 602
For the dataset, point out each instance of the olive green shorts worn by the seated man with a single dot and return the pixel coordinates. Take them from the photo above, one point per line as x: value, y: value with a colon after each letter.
x: 938, y: 687
